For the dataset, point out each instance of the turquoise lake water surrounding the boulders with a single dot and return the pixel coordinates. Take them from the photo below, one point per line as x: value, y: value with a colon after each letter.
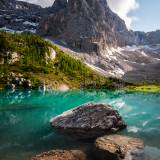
x: 25, y: 129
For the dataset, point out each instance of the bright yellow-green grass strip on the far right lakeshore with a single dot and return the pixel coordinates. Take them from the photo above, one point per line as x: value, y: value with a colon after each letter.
x: 145, y: 88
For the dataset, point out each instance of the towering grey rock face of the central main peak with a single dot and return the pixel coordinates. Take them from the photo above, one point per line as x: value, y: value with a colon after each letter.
x: 87, y: 25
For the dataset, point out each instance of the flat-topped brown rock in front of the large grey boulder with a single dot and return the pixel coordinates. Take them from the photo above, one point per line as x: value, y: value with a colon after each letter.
x: 119, y: 147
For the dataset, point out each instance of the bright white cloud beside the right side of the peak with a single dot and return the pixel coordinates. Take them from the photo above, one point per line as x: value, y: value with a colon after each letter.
x: 122, y: 8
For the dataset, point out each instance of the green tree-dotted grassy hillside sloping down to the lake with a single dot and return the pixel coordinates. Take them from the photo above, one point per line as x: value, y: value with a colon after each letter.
x: 33, y: 62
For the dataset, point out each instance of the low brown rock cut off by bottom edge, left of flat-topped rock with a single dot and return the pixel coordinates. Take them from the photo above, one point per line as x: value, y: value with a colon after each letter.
x: 61, y: 155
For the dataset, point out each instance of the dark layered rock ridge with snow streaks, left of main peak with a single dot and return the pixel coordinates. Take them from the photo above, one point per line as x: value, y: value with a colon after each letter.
x: 17, y: 16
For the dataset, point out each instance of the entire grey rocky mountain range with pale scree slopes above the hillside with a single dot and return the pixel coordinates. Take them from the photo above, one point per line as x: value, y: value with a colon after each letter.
x: 96, y: 34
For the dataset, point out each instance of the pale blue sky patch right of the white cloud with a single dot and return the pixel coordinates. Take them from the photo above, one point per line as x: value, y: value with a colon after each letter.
x: 147, y: 15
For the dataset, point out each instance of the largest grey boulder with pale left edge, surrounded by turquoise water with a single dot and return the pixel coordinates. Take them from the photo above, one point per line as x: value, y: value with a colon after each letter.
x: 89, y: 120
